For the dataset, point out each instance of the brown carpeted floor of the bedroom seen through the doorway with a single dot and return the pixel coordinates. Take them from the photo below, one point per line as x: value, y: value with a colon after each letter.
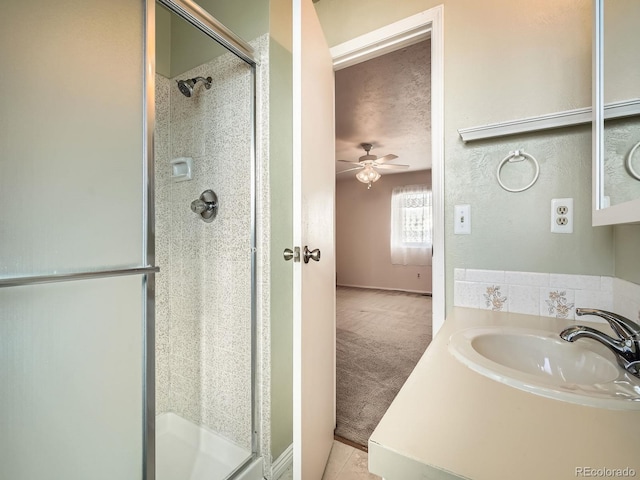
x: 380, y: 337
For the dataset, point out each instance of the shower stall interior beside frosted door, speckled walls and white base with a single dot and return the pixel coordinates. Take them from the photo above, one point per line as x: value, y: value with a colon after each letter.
x: 206, y: 426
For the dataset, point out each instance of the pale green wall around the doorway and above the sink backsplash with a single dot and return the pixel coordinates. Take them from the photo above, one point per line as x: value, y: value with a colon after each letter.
x: 505, y: 61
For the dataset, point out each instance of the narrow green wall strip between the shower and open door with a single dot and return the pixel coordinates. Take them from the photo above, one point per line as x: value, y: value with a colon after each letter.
x: 281, y: 202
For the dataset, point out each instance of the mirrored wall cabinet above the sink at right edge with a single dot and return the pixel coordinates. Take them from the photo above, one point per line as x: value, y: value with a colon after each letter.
x: 616, y: 117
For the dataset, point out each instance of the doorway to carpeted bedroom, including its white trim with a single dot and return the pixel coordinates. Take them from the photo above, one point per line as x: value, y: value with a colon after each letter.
x: 364, y: 261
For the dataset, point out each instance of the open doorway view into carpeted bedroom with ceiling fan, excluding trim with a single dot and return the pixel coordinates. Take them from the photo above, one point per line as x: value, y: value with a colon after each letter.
x: 383, y: 233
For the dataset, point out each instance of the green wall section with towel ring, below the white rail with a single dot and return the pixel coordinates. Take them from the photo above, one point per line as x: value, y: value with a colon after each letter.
x: 511, y: 231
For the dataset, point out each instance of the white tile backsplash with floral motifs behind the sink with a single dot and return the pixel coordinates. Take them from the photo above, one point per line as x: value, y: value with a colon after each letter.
x: 544, y: 294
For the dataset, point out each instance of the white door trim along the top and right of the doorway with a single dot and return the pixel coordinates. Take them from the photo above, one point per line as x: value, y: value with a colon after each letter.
x: 405, y: 32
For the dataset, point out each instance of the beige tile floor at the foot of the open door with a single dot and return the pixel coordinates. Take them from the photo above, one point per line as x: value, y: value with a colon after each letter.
x: 345, y: 463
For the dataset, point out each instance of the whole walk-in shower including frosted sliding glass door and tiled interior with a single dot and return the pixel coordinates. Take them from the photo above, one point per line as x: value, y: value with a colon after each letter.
x: 133, y: 305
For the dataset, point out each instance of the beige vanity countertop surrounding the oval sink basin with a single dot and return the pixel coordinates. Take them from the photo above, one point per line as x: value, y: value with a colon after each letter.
x: 449, y: 422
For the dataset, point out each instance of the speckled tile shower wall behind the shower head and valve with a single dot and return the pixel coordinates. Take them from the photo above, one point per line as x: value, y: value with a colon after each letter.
x: 203, y: 351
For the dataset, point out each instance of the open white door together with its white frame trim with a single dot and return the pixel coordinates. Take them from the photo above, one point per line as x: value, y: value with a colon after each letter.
x: 312, y: 434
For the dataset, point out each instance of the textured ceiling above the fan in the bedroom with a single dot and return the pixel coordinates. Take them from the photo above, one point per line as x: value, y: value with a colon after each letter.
x: 386, y: 101
